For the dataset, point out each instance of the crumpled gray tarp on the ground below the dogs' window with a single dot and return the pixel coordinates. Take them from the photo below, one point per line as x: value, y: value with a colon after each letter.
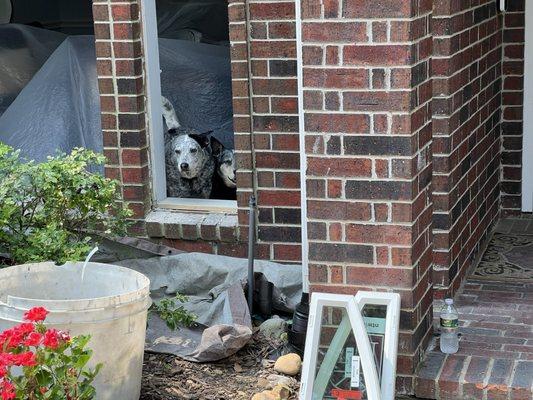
x: 214, y: 286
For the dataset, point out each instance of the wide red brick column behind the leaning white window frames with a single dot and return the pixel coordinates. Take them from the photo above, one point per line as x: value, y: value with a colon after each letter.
x: 367, y: 102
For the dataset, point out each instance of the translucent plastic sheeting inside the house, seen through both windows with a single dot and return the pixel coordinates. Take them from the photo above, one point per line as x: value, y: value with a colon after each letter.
x: 59, y: 108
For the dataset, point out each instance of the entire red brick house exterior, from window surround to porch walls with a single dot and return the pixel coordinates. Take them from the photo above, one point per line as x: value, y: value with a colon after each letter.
x: 396, y: 95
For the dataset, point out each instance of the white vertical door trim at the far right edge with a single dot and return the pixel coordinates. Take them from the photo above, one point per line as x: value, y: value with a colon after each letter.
x: 527, y: 149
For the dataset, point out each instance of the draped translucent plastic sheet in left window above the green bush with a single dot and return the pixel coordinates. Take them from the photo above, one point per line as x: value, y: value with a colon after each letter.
x: 59, y: 109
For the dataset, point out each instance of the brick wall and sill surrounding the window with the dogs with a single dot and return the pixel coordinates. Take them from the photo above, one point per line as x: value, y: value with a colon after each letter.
x: 263, y: 56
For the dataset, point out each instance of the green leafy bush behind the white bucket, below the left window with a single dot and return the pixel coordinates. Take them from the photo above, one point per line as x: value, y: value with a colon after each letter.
x: 48, y: 210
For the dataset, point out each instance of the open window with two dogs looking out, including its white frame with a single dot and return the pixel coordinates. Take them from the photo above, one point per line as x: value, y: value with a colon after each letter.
x: 189, y: 104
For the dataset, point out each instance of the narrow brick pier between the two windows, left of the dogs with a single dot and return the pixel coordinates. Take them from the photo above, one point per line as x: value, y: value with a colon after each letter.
x: 120, y: 80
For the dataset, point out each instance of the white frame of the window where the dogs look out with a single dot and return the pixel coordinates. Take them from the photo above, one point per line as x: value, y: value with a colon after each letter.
x: 154, y: 125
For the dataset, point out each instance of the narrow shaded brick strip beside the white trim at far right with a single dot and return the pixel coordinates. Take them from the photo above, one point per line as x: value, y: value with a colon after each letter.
x: 513, y: 85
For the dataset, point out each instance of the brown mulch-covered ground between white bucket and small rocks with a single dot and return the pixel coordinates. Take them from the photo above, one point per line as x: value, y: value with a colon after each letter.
x: 239, y: 377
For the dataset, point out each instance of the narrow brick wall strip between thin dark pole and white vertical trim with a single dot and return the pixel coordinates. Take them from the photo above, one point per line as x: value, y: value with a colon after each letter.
x: 275, y: 126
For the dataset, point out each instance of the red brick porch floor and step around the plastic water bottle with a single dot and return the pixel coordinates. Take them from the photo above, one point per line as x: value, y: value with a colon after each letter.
x: 495, y: 357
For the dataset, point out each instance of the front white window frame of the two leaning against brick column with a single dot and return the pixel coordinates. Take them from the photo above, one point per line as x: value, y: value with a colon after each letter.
x: 356, y: 324
